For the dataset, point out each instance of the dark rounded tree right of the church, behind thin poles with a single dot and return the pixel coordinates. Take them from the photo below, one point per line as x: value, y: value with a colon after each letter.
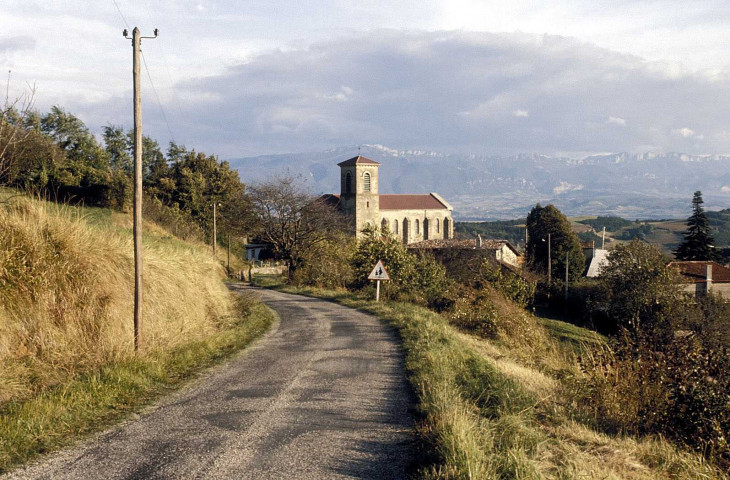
x: 542, y: 221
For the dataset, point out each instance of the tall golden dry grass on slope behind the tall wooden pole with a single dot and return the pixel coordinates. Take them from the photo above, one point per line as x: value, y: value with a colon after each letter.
x: 66, y: 283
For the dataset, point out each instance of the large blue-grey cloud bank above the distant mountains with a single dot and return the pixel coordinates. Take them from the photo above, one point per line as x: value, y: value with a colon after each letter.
x: 455, y: 91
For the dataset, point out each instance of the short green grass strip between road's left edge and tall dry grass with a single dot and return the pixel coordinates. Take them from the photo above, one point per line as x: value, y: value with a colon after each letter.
x: 91, y: 401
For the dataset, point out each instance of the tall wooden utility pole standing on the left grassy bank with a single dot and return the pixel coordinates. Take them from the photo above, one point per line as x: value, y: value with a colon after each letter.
x: 137, y: 215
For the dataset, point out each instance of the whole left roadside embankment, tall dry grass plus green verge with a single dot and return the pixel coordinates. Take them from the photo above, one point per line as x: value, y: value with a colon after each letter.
x: 66, y: 361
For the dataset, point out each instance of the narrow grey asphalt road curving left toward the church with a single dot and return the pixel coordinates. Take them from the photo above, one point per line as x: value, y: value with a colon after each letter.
x: 323, y: 395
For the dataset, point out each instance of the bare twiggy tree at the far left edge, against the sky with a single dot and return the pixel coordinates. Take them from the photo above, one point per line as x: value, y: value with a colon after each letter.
x: 15, y: 127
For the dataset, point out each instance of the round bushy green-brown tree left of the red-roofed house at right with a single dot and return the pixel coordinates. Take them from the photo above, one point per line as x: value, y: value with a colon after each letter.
x: 639, y: 291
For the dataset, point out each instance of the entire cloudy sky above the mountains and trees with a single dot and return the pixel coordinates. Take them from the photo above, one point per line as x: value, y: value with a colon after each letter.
x: 241, y: 78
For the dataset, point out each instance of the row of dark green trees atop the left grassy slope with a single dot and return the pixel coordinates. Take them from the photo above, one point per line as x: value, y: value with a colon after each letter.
x: 56, y: 155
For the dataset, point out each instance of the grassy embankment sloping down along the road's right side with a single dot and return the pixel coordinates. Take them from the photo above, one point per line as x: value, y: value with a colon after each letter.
x: 503, y: 408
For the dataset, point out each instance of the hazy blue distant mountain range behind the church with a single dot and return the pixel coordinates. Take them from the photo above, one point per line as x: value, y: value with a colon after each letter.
x: 646, y: 186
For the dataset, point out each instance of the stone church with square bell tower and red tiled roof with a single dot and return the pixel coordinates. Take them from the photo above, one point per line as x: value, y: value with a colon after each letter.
x: 411, y: 218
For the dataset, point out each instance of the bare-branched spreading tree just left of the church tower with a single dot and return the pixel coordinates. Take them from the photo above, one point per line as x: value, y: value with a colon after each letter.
x: 291, y: 219
